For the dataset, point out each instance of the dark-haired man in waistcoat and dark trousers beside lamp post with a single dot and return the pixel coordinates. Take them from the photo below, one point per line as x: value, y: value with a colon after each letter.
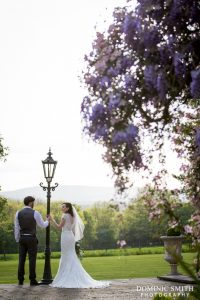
x: 25, y: 234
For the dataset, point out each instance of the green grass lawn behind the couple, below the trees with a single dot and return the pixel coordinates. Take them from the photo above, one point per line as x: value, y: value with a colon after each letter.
x: 111, y: 267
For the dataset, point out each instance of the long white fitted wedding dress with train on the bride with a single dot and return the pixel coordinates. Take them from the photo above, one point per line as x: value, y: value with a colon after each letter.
x: 70, y: 273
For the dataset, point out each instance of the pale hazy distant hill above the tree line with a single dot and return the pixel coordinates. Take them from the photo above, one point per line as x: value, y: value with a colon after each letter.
x: 81, y: 195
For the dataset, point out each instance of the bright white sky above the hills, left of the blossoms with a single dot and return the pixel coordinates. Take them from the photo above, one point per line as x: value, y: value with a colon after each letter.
x: 42, y: 48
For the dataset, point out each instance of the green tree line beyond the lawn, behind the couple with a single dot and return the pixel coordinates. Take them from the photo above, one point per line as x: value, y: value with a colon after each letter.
x: 105, y: 224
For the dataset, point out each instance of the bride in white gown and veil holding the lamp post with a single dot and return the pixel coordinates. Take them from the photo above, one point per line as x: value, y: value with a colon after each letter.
x: 70, y: 273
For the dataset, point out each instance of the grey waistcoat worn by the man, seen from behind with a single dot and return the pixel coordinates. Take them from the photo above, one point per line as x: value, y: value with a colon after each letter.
x: 27, y: 222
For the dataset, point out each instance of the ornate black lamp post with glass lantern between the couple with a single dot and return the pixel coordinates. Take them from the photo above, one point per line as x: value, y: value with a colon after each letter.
x: 49, y: 166
